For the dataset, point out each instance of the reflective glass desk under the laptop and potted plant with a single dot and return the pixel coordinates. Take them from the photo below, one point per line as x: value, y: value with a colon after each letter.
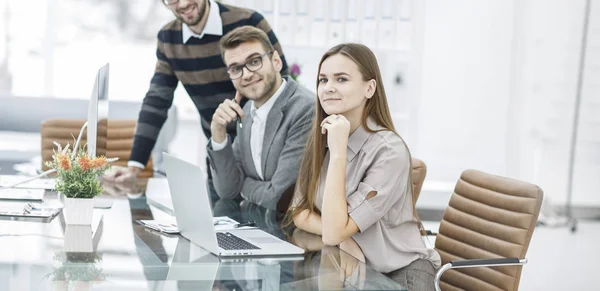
x: 127, y: 256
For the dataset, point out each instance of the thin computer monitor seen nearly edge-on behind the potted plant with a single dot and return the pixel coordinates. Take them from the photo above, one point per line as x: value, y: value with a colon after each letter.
x: 98, y: 114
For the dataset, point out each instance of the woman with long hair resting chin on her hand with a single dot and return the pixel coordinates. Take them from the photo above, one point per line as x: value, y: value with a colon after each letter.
x: 354, y: 180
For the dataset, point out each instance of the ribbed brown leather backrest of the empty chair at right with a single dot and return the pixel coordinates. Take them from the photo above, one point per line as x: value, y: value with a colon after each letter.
x: 488, y: 217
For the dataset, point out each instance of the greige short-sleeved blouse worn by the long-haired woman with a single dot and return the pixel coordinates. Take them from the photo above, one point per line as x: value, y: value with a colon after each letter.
x: 388, y: 234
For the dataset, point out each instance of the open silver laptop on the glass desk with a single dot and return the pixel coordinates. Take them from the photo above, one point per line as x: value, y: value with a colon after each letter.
x: 195, y: 219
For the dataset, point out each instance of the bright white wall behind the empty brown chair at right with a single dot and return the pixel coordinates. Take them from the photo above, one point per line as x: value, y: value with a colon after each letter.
x: 498, y: 89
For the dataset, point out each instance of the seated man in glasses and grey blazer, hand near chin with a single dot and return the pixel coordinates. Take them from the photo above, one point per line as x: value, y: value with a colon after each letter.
x: 263, y: 161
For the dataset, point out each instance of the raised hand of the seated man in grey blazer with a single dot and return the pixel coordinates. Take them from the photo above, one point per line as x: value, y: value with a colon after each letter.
x: 227, y: 112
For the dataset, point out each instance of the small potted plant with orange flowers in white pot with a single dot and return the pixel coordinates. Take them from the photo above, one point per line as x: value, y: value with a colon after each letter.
x: 77, y: 179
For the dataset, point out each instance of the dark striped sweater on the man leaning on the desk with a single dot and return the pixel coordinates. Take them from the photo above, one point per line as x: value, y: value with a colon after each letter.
x: 198, y: 65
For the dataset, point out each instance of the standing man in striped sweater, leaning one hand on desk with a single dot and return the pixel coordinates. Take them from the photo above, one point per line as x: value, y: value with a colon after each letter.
x: 188, y: 52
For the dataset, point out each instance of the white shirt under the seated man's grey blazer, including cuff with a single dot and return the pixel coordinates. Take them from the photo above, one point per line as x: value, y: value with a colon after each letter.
x: 257, y: 132
